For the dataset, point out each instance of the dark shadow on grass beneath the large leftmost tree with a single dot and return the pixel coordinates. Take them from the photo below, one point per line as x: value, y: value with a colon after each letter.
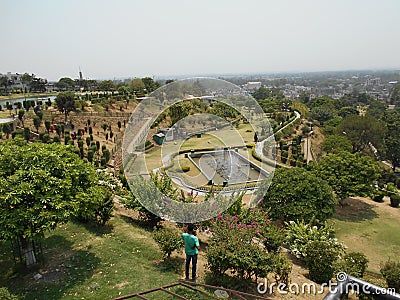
x: 62, y: 269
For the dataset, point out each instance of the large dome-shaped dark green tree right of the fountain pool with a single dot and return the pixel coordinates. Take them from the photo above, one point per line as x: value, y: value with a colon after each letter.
x: 298, y: 194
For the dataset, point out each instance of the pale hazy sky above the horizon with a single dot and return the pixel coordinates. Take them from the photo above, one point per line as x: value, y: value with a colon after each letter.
x: 128, y: 38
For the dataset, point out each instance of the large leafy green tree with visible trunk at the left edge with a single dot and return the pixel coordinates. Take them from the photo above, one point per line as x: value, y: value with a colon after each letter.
x: 39, y: 184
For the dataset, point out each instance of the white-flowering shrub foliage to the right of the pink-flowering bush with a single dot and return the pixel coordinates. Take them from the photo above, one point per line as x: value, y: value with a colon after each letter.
x: 300, y: 234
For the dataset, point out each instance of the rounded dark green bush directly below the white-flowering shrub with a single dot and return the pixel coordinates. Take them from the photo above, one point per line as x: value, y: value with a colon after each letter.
x: 321, y: 256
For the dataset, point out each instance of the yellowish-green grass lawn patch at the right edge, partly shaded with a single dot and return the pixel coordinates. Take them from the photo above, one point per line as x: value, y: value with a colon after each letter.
x: 371, y: 228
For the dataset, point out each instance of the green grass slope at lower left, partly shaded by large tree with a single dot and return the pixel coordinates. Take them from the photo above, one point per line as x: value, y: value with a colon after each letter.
x: 92, y: 263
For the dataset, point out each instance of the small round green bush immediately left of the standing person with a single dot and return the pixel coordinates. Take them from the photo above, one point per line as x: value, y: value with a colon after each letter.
x: 168, y: 240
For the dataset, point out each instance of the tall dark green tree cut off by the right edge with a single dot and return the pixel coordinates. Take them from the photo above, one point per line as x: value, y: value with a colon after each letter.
x: 392, y: 138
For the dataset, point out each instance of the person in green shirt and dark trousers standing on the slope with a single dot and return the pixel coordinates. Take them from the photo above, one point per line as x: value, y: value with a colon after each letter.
x: 192, y: 247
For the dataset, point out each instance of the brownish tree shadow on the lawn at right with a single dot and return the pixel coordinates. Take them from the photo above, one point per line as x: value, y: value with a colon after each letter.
x: 355, y: 210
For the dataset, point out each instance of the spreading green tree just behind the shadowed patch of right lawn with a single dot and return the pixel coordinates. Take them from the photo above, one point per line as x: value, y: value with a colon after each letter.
x: 348, y: 174
